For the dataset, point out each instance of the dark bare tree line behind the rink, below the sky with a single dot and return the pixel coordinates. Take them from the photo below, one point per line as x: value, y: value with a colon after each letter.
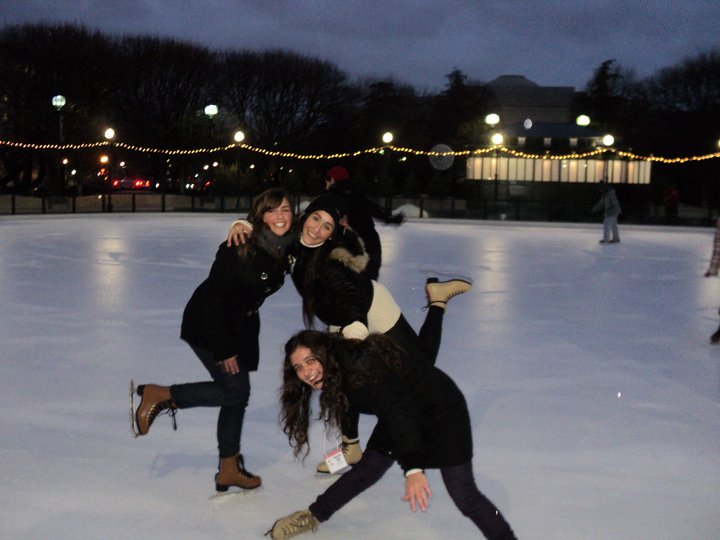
x: 153, y: 92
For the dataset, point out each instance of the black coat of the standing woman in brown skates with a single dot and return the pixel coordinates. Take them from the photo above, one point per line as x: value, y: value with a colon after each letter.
x: 222, y: 314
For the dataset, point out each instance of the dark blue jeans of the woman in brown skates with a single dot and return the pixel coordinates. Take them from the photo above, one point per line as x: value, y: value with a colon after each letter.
x: 229, y: 392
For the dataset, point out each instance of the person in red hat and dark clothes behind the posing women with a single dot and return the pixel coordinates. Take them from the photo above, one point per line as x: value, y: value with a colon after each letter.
x: 361, y: 212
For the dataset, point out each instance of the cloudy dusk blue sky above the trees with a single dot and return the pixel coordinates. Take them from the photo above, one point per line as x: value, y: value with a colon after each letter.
x: 553, y: 43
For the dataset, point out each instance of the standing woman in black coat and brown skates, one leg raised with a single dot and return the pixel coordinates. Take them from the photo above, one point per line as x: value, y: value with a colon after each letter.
x: 221, y: 324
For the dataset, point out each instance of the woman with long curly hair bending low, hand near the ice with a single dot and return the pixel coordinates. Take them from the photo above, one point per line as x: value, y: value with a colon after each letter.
x: 422, y: 422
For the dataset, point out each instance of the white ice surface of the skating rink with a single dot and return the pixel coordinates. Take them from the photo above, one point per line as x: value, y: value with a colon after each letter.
x: 593, y: 389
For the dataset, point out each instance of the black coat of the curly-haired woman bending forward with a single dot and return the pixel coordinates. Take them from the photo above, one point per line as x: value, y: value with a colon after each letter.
x: 423, y: 419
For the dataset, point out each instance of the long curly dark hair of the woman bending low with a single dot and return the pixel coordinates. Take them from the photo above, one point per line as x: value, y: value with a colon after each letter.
x: 348, y: 364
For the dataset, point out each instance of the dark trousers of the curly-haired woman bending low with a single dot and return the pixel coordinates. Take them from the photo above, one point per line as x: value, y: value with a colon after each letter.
x: 459, y: 481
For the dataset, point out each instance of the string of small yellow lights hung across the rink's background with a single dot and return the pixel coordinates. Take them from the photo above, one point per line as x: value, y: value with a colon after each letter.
x: 340, y: 155
